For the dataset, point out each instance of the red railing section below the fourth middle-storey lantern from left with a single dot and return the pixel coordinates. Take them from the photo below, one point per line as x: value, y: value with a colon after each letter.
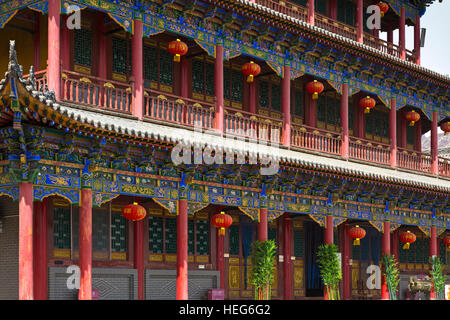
x: 370, y: 151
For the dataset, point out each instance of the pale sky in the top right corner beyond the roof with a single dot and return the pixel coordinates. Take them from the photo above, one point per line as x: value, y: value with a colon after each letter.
x: 436, y: 53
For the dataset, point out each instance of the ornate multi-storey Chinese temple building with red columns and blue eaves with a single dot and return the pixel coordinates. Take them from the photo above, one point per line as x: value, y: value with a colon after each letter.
x: 293, y: 117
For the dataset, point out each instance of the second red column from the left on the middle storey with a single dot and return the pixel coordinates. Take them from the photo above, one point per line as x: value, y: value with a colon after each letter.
x: 138, y: 73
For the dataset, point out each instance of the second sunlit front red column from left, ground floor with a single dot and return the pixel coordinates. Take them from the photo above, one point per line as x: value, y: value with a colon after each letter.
x: 85, y: 253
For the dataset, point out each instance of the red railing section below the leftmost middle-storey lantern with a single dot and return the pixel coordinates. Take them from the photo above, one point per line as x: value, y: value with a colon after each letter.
x: 173, y: 109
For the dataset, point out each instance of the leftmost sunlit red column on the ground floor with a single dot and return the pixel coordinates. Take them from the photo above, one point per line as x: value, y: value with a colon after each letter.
x: 26, y: 241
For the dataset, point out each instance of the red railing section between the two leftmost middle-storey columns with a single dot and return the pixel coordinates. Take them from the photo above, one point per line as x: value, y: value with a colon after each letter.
x: 93, y: 91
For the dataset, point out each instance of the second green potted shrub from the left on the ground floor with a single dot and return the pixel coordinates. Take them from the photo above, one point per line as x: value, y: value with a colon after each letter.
x: 330, y: 270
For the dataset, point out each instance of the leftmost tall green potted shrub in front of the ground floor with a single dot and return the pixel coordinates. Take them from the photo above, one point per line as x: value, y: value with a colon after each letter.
x: 263, y: 259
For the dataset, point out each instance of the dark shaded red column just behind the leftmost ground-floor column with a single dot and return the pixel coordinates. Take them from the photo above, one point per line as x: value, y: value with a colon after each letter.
x: 40, y: 250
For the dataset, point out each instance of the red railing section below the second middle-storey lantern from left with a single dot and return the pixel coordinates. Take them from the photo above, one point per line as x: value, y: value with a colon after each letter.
x: 248, y: 125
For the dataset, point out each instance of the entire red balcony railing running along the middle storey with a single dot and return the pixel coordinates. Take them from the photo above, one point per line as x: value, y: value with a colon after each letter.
x: 169, y: 109
